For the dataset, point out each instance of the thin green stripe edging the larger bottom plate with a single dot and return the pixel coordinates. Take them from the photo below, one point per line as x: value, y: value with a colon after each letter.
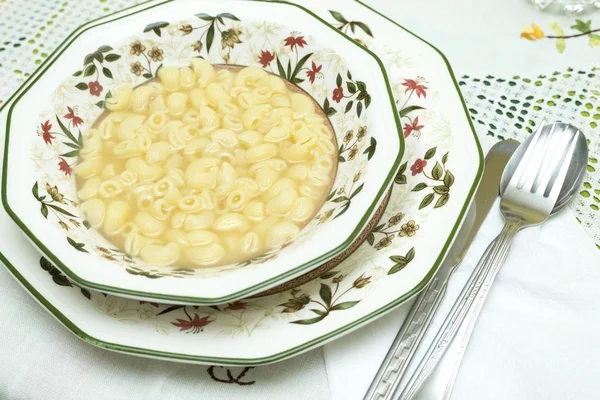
x: 317, y: 341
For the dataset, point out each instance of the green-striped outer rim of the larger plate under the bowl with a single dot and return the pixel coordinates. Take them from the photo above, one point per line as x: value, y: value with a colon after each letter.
x: 294, y: 350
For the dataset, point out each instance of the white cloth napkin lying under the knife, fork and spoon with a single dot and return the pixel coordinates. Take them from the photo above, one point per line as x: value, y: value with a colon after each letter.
x: 537, y: 335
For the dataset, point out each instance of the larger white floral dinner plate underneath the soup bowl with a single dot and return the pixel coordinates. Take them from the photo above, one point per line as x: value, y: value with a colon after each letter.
x: 442, y: 167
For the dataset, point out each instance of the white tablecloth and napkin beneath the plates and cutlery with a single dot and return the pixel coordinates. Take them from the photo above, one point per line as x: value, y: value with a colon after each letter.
x: 536, y: 338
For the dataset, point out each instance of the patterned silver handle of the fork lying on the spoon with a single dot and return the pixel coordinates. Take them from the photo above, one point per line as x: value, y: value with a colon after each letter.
x: 475, y: 290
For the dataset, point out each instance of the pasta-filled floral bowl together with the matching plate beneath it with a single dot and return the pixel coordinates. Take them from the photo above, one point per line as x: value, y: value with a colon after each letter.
x: 404, y: 167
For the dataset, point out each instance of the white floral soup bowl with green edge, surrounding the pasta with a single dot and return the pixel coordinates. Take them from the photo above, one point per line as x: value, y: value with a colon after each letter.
x: 50, y: 122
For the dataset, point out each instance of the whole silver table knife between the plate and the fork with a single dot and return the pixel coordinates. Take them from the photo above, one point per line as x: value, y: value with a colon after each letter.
x: 426, y: 303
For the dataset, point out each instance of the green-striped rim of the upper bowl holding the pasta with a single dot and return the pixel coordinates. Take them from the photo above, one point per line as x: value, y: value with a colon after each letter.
x: 186, y: 299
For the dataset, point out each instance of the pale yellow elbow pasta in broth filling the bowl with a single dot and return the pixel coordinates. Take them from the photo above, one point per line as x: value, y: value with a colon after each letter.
x: 204, y: 167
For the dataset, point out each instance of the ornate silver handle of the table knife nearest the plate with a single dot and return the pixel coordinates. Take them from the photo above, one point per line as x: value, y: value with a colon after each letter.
x: 406, y: 342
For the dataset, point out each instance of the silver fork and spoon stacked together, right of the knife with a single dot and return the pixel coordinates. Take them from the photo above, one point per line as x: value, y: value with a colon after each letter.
x: 530, y: 188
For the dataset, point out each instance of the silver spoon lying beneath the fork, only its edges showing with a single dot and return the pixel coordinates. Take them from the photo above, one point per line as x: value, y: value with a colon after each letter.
x: 440, y: 385
